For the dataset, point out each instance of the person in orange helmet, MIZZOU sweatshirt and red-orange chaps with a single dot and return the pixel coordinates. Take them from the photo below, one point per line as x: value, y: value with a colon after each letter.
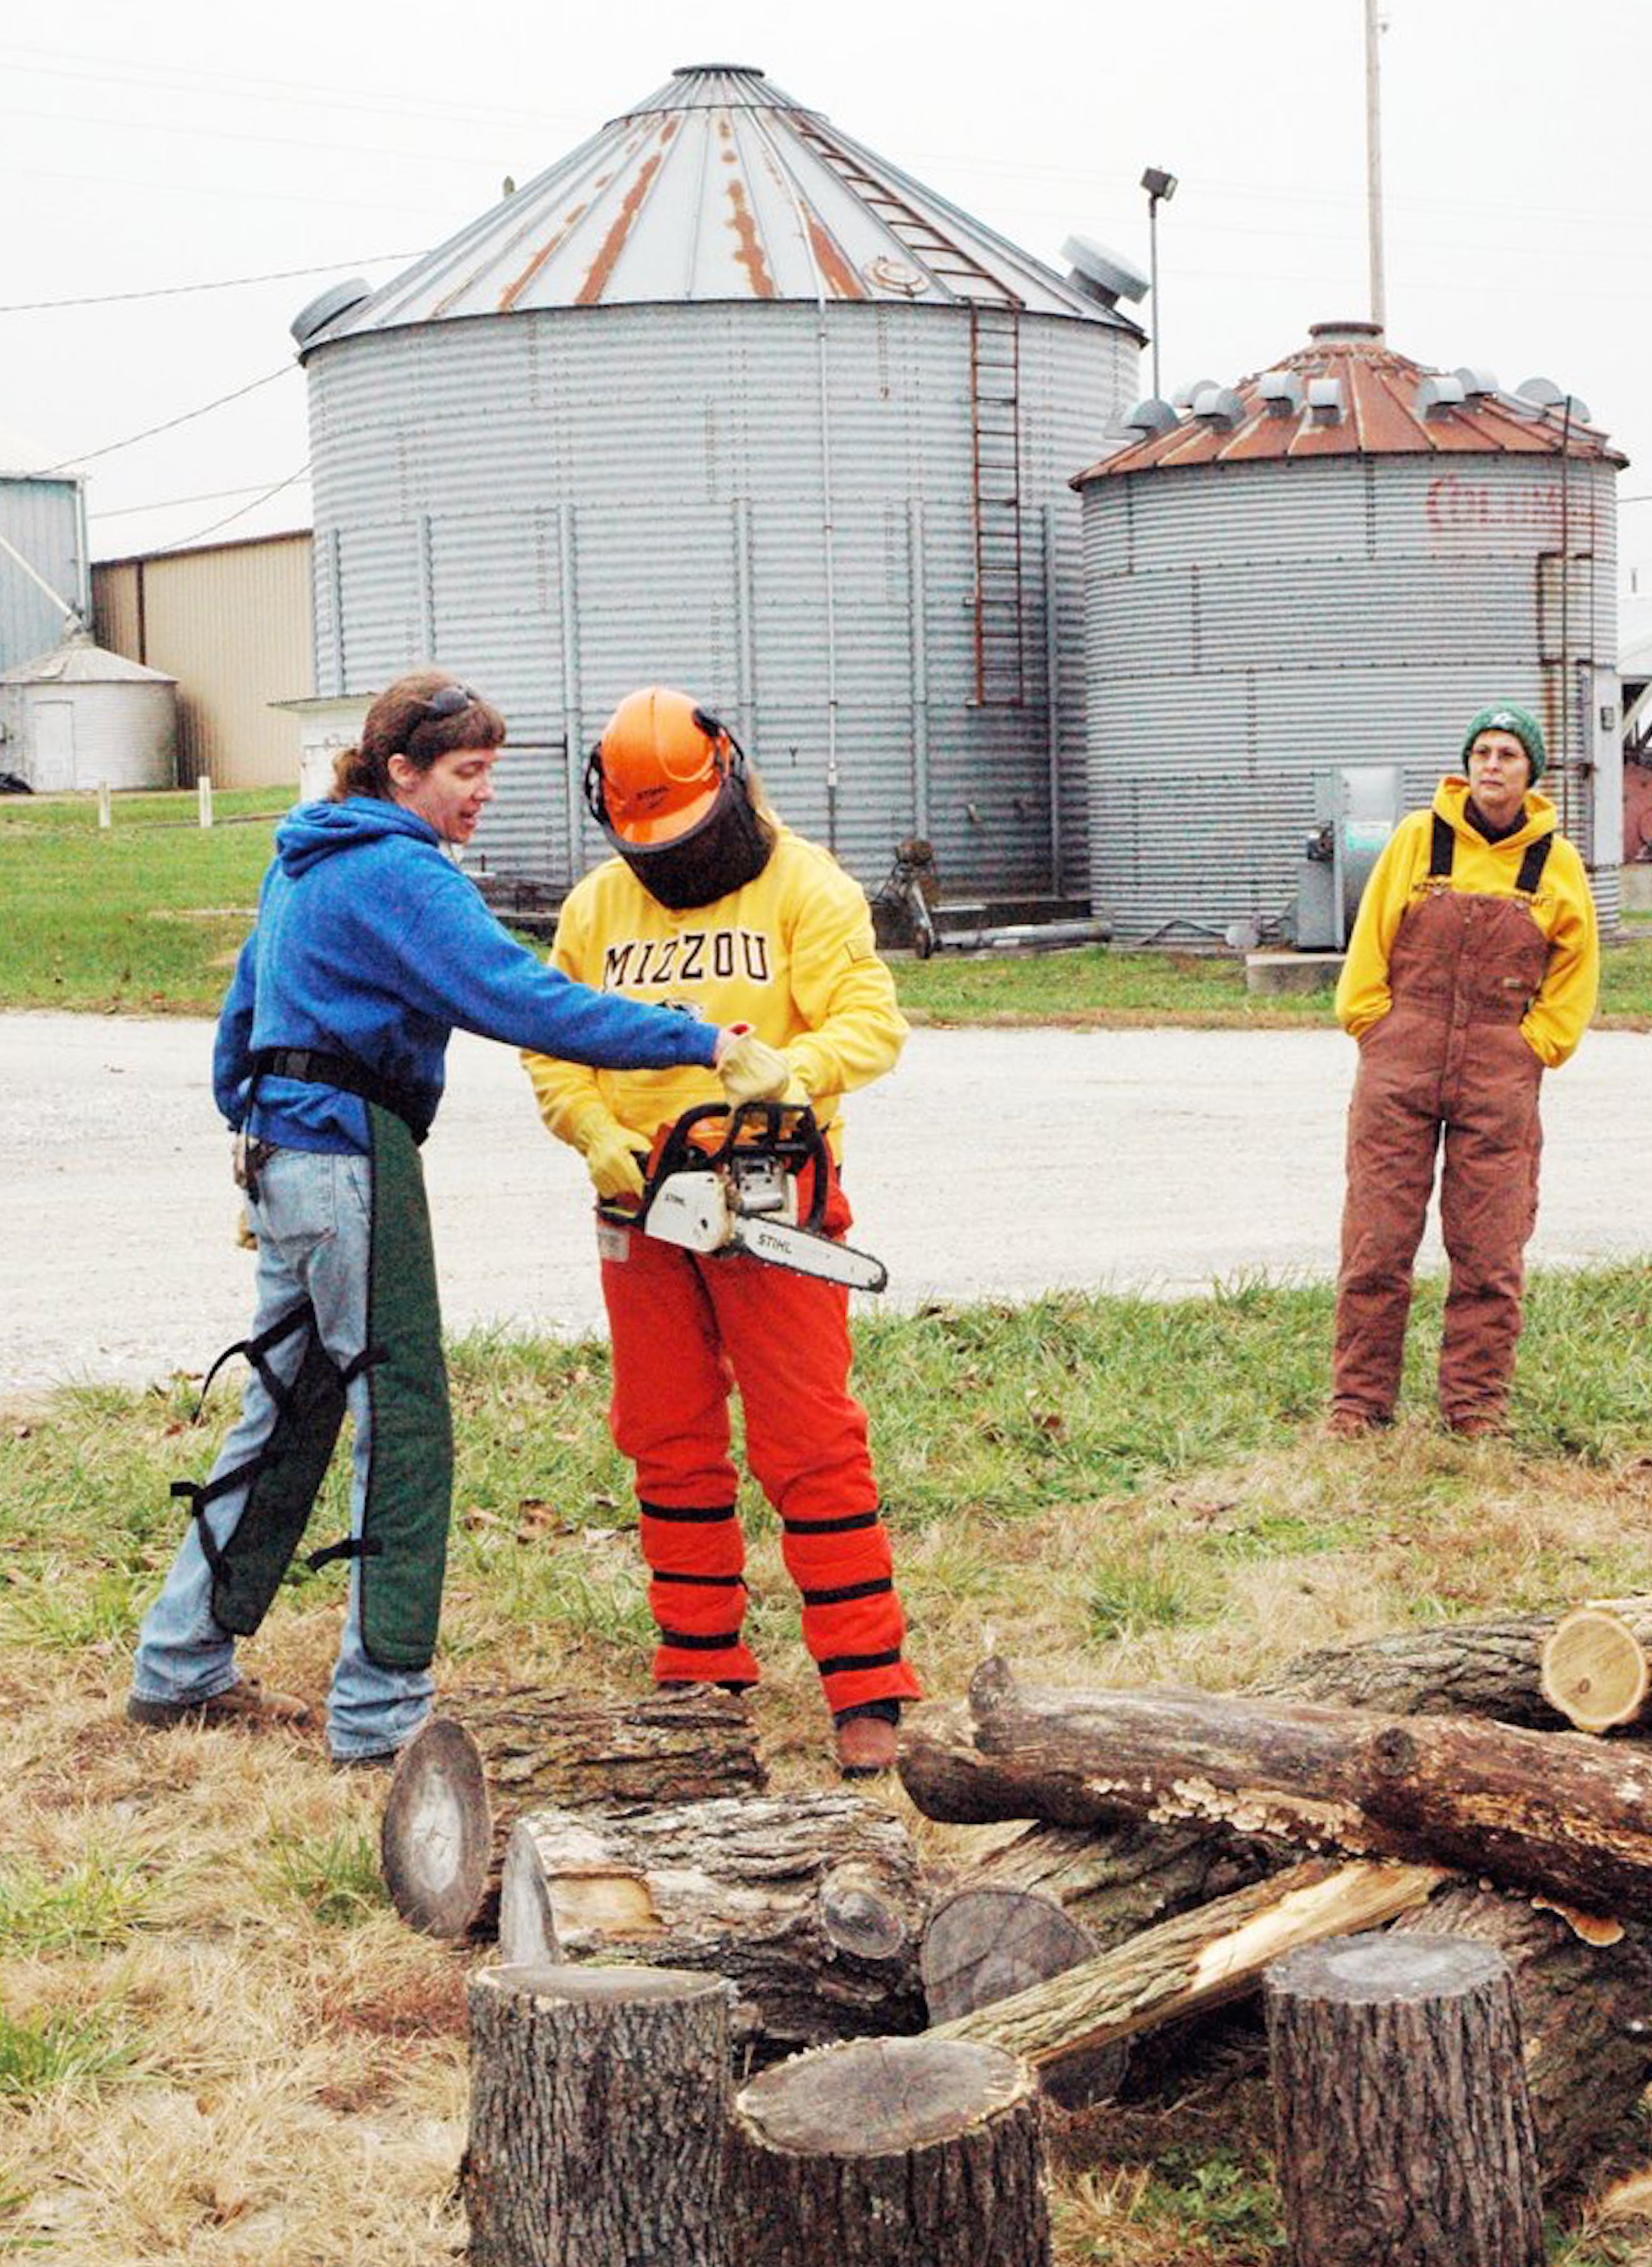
x: 713, y: 906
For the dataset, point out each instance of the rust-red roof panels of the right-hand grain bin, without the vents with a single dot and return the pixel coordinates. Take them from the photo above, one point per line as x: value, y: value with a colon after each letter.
x: 1381, y: 414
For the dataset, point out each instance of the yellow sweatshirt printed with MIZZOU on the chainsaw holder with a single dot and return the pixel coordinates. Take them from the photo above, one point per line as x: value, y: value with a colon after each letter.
x: 790, y: 953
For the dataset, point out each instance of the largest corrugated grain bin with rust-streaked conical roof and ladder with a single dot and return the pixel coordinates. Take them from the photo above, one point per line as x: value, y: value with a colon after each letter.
x: 724, y: 400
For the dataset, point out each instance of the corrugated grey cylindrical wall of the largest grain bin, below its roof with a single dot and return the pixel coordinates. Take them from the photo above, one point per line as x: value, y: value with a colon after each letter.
x: 690, y: 450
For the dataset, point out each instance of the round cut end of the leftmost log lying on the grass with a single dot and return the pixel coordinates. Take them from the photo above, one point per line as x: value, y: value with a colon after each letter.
x: 436, y: 1840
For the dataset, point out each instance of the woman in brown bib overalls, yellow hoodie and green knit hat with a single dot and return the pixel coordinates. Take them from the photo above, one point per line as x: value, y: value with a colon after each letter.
x: 1472, y: 971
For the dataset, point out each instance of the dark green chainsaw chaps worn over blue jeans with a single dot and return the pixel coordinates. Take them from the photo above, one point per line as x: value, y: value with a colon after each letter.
x: 411, y: 1468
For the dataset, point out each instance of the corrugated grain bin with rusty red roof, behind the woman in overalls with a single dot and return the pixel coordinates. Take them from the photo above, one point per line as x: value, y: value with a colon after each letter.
x: 1334, y: 563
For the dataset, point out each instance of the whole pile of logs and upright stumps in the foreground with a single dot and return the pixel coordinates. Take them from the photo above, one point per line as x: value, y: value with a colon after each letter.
x: 1180, y: 1853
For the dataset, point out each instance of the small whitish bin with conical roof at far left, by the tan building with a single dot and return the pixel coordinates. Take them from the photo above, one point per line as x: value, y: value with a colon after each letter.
x: 83, y: 718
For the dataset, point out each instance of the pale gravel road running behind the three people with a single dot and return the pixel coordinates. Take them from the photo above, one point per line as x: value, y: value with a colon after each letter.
x: 991, y: 1164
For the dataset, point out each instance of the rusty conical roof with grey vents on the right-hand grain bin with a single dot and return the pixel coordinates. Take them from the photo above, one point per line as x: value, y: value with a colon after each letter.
x: 1352, y: 396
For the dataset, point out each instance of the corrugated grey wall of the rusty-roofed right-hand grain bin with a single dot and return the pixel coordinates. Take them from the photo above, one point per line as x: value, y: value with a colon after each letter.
x: 1225, y: 668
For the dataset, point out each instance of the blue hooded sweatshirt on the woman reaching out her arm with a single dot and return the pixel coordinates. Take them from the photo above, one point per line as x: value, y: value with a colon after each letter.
x: 371, y: 942
